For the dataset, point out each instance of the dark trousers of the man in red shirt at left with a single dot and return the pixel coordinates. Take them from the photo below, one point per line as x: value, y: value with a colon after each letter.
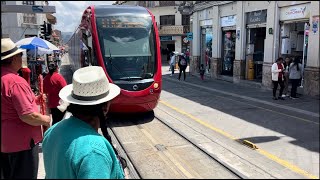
x: 20, y: 165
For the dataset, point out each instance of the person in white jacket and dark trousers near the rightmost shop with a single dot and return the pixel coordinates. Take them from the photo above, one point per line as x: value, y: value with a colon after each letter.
x: 277, y: 78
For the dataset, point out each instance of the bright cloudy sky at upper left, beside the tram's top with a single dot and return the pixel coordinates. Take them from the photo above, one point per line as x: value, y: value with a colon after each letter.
x: 68, y: 13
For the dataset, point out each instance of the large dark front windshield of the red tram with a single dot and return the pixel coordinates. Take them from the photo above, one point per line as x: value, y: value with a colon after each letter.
x: 128, y: 46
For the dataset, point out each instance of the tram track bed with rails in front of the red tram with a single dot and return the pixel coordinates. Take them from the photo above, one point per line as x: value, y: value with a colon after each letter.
x: 183, y: 165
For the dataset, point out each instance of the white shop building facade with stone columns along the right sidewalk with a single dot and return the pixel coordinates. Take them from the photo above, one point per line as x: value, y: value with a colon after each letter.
x: 240, y: 40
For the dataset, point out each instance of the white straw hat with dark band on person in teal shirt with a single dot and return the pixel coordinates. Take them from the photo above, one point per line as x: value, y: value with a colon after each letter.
x: 90, y: 86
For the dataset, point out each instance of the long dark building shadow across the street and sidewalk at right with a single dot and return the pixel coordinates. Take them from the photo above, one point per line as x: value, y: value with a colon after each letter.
x: 303, y: 128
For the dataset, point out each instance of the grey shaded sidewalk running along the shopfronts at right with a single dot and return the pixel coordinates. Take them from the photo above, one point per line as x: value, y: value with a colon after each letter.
x: 308, y: 105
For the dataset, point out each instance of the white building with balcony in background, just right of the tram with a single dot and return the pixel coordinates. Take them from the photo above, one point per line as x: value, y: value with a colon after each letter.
x: 172, y: 25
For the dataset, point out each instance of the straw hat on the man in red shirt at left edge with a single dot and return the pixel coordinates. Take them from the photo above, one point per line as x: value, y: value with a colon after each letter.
x: 8, y: 48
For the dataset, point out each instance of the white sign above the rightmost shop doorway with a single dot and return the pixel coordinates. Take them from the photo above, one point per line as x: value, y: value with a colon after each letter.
x: 295, y: 12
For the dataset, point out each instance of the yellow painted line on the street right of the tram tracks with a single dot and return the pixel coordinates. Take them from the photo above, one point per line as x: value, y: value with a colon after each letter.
x: 263, y: 152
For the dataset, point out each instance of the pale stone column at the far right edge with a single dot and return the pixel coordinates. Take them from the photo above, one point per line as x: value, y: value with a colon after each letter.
x: 311, y: 71
